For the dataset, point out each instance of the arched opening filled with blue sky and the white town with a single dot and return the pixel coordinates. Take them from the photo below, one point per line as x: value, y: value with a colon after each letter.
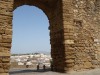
x: 30, y: 37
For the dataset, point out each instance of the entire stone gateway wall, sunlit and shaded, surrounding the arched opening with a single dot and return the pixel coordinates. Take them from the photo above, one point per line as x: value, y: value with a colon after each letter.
x: 74, y: 28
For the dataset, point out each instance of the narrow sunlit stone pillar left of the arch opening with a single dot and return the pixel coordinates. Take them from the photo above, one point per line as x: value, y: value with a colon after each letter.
x: 5, y: 34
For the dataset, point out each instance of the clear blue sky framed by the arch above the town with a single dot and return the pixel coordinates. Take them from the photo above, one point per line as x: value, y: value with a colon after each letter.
x: 30, y: 31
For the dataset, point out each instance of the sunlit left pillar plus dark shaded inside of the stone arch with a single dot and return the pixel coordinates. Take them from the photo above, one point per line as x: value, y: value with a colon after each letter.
x: 52, y: 10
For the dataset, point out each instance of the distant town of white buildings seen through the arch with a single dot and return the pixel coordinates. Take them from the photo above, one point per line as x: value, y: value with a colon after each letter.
x: 30, y: 60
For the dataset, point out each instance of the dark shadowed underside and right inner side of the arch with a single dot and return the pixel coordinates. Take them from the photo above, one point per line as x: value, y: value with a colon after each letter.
x: 52, y: 11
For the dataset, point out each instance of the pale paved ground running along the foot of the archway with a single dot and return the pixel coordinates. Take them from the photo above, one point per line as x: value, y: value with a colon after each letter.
x: 48, y: 72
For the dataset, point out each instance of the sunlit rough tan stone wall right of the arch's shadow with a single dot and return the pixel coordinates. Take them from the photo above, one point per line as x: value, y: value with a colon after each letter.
x: 81, y: 34
